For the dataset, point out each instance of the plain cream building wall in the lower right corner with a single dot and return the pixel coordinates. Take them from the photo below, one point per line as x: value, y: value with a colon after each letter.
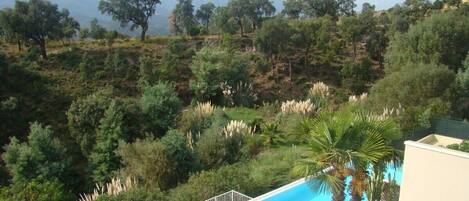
x: 432, y: 173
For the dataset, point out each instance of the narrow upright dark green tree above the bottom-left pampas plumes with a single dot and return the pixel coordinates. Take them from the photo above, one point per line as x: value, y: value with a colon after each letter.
x: 103, y: 160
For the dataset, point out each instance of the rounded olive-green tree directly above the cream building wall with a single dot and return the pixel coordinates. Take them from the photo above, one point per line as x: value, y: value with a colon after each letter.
x: 422, y: 89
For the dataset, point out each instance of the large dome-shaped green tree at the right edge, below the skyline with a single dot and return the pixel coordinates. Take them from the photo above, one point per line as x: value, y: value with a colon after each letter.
x: 439, y: 39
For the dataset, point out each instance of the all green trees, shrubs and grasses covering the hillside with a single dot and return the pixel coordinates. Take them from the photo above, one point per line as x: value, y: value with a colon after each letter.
x: 241, y: 97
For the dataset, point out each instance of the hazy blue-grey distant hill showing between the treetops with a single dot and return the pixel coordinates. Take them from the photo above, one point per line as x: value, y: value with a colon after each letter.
x: 85, y: 10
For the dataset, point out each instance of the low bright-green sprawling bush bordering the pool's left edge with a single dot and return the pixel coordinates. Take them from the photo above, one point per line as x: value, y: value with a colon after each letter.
x: 267, y: 171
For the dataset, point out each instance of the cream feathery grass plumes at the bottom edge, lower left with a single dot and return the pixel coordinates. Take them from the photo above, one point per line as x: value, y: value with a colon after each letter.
x: 113, y: 188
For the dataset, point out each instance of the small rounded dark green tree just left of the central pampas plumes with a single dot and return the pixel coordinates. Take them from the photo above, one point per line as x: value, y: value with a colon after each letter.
x: 161, y: 104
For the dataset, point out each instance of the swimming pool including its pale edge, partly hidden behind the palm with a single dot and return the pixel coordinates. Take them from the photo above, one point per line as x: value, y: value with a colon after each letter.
x: 301, y: 191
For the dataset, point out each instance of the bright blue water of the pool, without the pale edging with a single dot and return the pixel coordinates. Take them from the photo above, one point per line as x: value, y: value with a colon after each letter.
x: 304, y: 192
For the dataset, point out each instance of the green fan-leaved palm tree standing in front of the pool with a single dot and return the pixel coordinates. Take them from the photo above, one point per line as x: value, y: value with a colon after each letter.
x: 344, y: 144
